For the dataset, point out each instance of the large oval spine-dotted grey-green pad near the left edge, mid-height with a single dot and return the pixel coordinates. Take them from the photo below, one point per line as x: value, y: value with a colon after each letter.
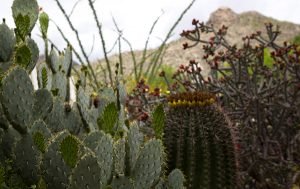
x: 17, y: 98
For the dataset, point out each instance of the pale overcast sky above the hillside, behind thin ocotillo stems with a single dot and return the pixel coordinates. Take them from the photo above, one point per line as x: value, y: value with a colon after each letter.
x: 135, y: 17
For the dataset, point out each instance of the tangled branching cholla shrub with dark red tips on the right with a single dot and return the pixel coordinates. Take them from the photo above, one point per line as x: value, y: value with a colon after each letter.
x: 260, y: 91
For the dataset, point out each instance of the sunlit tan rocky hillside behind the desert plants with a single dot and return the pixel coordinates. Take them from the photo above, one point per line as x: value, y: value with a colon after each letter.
x: 239, y: 25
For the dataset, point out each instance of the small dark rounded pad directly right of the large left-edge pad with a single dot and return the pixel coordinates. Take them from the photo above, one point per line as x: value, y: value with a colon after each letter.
x: 43, y: 103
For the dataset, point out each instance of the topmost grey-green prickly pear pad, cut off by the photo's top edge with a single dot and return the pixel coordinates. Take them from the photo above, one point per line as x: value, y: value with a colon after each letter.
x: 26, y: 7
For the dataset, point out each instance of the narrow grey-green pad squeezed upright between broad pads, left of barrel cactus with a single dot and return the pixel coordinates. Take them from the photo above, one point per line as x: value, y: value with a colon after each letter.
x: 119, y: 156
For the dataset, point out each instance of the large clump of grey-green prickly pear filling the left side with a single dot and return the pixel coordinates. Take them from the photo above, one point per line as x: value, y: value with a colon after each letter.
x: 46, y: 141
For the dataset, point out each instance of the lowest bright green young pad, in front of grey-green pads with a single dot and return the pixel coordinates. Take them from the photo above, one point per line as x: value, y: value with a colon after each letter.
x: 69, y: 150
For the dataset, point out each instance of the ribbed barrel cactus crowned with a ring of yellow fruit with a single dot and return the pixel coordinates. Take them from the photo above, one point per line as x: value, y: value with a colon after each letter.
x: 199, y: 141
